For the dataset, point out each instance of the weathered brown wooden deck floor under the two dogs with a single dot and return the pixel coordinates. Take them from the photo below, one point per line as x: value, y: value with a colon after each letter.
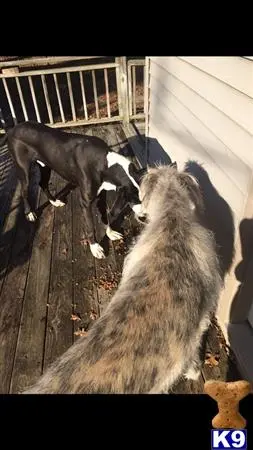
x: 48, y: 277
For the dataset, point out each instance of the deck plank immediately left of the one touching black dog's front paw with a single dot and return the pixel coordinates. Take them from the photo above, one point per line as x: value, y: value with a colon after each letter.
x: 59, y: 332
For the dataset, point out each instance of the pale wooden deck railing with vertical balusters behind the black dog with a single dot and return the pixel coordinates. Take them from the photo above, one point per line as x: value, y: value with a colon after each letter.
x: 72, y: 95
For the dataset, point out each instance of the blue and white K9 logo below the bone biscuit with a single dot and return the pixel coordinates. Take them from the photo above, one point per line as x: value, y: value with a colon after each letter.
x: 224, y: 439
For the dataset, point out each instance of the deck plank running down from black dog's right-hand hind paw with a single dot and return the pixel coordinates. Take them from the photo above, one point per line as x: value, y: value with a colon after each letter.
x: 30, y: 347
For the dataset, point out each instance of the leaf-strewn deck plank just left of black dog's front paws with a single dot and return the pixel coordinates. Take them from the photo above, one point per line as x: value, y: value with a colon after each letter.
x: 85, y: 298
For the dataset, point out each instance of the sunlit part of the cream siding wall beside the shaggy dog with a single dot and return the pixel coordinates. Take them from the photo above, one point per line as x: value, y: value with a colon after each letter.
x: 201, y: 108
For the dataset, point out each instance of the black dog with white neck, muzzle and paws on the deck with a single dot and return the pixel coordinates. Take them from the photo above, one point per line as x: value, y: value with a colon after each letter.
x: 83, y: 161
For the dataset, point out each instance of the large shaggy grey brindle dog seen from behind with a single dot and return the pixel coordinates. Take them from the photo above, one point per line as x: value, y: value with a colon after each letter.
x: 150, y: 334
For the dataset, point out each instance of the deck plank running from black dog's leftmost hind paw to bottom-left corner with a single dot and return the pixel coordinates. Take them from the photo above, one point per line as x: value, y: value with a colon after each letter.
x: 12, y: 294
